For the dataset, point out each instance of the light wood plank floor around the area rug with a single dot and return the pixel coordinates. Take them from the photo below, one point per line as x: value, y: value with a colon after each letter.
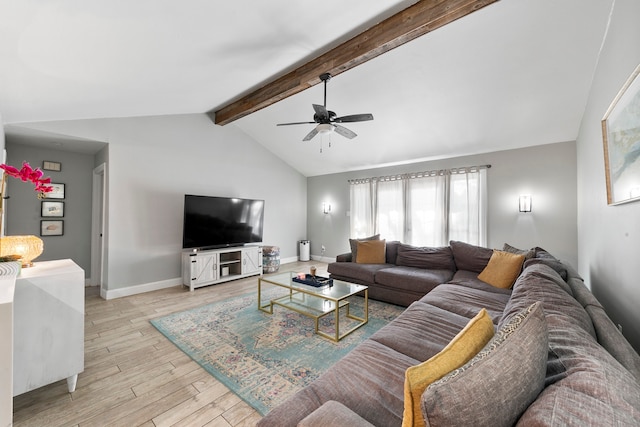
x: 134, y: 376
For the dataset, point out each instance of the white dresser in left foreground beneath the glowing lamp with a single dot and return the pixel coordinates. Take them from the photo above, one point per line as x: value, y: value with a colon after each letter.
x: 48, y: 325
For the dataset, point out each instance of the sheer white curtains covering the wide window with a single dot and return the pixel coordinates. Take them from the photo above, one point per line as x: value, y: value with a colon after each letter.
x: 426, y: 209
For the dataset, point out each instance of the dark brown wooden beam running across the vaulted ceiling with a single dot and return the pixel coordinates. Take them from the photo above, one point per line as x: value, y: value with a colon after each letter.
x: 409, y: 24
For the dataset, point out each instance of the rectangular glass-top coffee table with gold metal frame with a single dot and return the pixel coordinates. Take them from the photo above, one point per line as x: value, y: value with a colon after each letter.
x: 315, y: 302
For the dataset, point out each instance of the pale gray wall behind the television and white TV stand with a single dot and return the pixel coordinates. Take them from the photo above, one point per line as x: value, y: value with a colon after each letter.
x: 154, y: 161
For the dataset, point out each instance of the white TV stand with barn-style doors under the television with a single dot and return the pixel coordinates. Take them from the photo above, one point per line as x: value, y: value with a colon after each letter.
x: 208, y: 267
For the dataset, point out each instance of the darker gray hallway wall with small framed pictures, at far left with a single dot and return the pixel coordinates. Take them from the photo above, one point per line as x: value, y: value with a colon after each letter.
x: 23, y: 213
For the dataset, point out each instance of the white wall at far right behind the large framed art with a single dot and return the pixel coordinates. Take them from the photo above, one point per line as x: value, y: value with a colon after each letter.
x: 609, y: 236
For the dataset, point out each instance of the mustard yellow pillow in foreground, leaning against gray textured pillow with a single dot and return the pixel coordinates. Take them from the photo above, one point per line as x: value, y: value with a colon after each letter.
x: 464, y: 346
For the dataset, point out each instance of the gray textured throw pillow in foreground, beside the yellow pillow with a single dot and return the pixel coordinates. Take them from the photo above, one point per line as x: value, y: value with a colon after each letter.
x: 496, y: 386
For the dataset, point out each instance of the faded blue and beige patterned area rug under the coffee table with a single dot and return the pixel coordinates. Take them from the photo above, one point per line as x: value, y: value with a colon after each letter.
x: 265, y: 358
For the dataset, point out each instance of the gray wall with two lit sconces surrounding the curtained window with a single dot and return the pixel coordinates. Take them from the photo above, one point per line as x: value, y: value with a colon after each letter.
x: 547, y: 172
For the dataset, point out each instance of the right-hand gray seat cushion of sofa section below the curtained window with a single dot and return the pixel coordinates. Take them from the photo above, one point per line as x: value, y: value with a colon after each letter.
x: 412, y: 279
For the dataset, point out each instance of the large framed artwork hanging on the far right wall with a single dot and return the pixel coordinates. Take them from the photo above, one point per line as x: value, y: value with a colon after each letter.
x: 621, y: 136
